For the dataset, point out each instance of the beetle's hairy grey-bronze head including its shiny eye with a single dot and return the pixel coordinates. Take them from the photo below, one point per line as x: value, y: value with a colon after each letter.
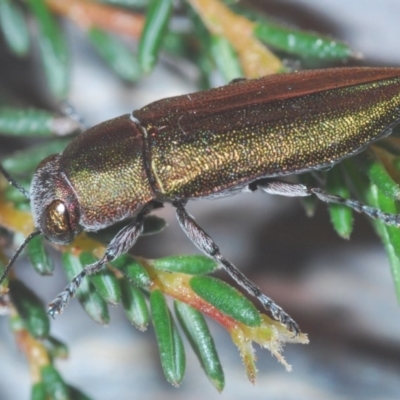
x: 55, y: 207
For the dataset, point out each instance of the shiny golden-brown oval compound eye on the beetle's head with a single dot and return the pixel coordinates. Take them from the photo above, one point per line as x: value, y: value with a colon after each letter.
x: 55, y: 223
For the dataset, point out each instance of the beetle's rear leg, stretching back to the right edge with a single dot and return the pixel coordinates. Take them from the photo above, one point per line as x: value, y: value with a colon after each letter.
x: 300, y: 190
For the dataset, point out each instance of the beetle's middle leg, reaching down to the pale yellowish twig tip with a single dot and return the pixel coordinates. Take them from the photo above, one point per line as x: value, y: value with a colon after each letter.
x: 204, y: 242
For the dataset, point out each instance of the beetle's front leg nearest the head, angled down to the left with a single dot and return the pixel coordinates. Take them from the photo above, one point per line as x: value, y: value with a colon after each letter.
x: 120, y: 244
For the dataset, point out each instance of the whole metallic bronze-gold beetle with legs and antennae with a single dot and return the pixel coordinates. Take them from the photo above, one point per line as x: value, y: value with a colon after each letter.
x: 239, y: 137
